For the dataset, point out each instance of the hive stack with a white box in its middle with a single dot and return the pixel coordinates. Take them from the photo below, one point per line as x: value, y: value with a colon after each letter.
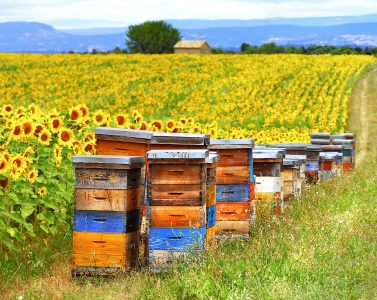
x: 268, y: 165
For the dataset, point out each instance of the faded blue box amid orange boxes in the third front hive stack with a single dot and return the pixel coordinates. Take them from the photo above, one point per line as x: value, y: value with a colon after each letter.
x: 233, y: 193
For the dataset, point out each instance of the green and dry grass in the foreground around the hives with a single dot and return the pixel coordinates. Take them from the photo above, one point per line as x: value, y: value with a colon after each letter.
x: 324, y: 247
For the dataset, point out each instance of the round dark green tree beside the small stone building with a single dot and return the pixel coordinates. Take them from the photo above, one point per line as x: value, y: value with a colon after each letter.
x: 152, y: 37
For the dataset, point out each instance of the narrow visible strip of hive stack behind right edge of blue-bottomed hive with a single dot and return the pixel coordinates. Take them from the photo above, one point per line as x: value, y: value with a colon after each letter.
x: 211, y: 163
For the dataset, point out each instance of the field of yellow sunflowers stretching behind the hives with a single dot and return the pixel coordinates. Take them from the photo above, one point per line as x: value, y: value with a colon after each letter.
x: 52, y: 103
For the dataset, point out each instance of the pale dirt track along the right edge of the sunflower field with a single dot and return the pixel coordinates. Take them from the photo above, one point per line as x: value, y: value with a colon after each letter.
x: 363, y: 116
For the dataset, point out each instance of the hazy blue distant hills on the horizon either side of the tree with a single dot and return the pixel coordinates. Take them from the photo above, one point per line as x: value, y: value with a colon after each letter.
x: 42, y: 38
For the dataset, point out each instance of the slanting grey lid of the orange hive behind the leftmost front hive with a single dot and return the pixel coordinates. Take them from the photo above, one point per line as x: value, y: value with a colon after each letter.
x: 118, y: 134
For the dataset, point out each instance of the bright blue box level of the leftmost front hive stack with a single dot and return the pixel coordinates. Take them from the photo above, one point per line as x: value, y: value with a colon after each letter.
x: 106, y: 221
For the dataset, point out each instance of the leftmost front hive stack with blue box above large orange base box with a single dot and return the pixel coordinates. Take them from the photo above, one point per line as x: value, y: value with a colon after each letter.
x: 106, y: 217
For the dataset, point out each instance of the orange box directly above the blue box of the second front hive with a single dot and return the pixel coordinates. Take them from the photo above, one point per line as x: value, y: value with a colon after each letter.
x: 177, y: 216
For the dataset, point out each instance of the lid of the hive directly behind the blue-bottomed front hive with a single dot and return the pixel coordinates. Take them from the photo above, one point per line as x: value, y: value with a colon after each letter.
x: 167, y: 138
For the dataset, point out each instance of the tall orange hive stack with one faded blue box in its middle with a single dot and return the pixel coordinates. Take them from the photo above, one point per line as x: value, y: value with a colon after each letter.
x: 234, y: 187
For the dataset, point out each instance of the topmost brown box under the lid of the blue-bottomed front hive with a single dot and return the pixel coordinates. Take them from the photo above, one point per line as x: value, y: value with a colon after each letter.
x: 175, y: 174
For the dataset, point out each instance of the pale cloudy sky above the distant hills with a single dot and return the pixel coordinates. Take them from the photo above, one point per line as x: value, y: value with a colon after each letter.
x: 71, y: 14
